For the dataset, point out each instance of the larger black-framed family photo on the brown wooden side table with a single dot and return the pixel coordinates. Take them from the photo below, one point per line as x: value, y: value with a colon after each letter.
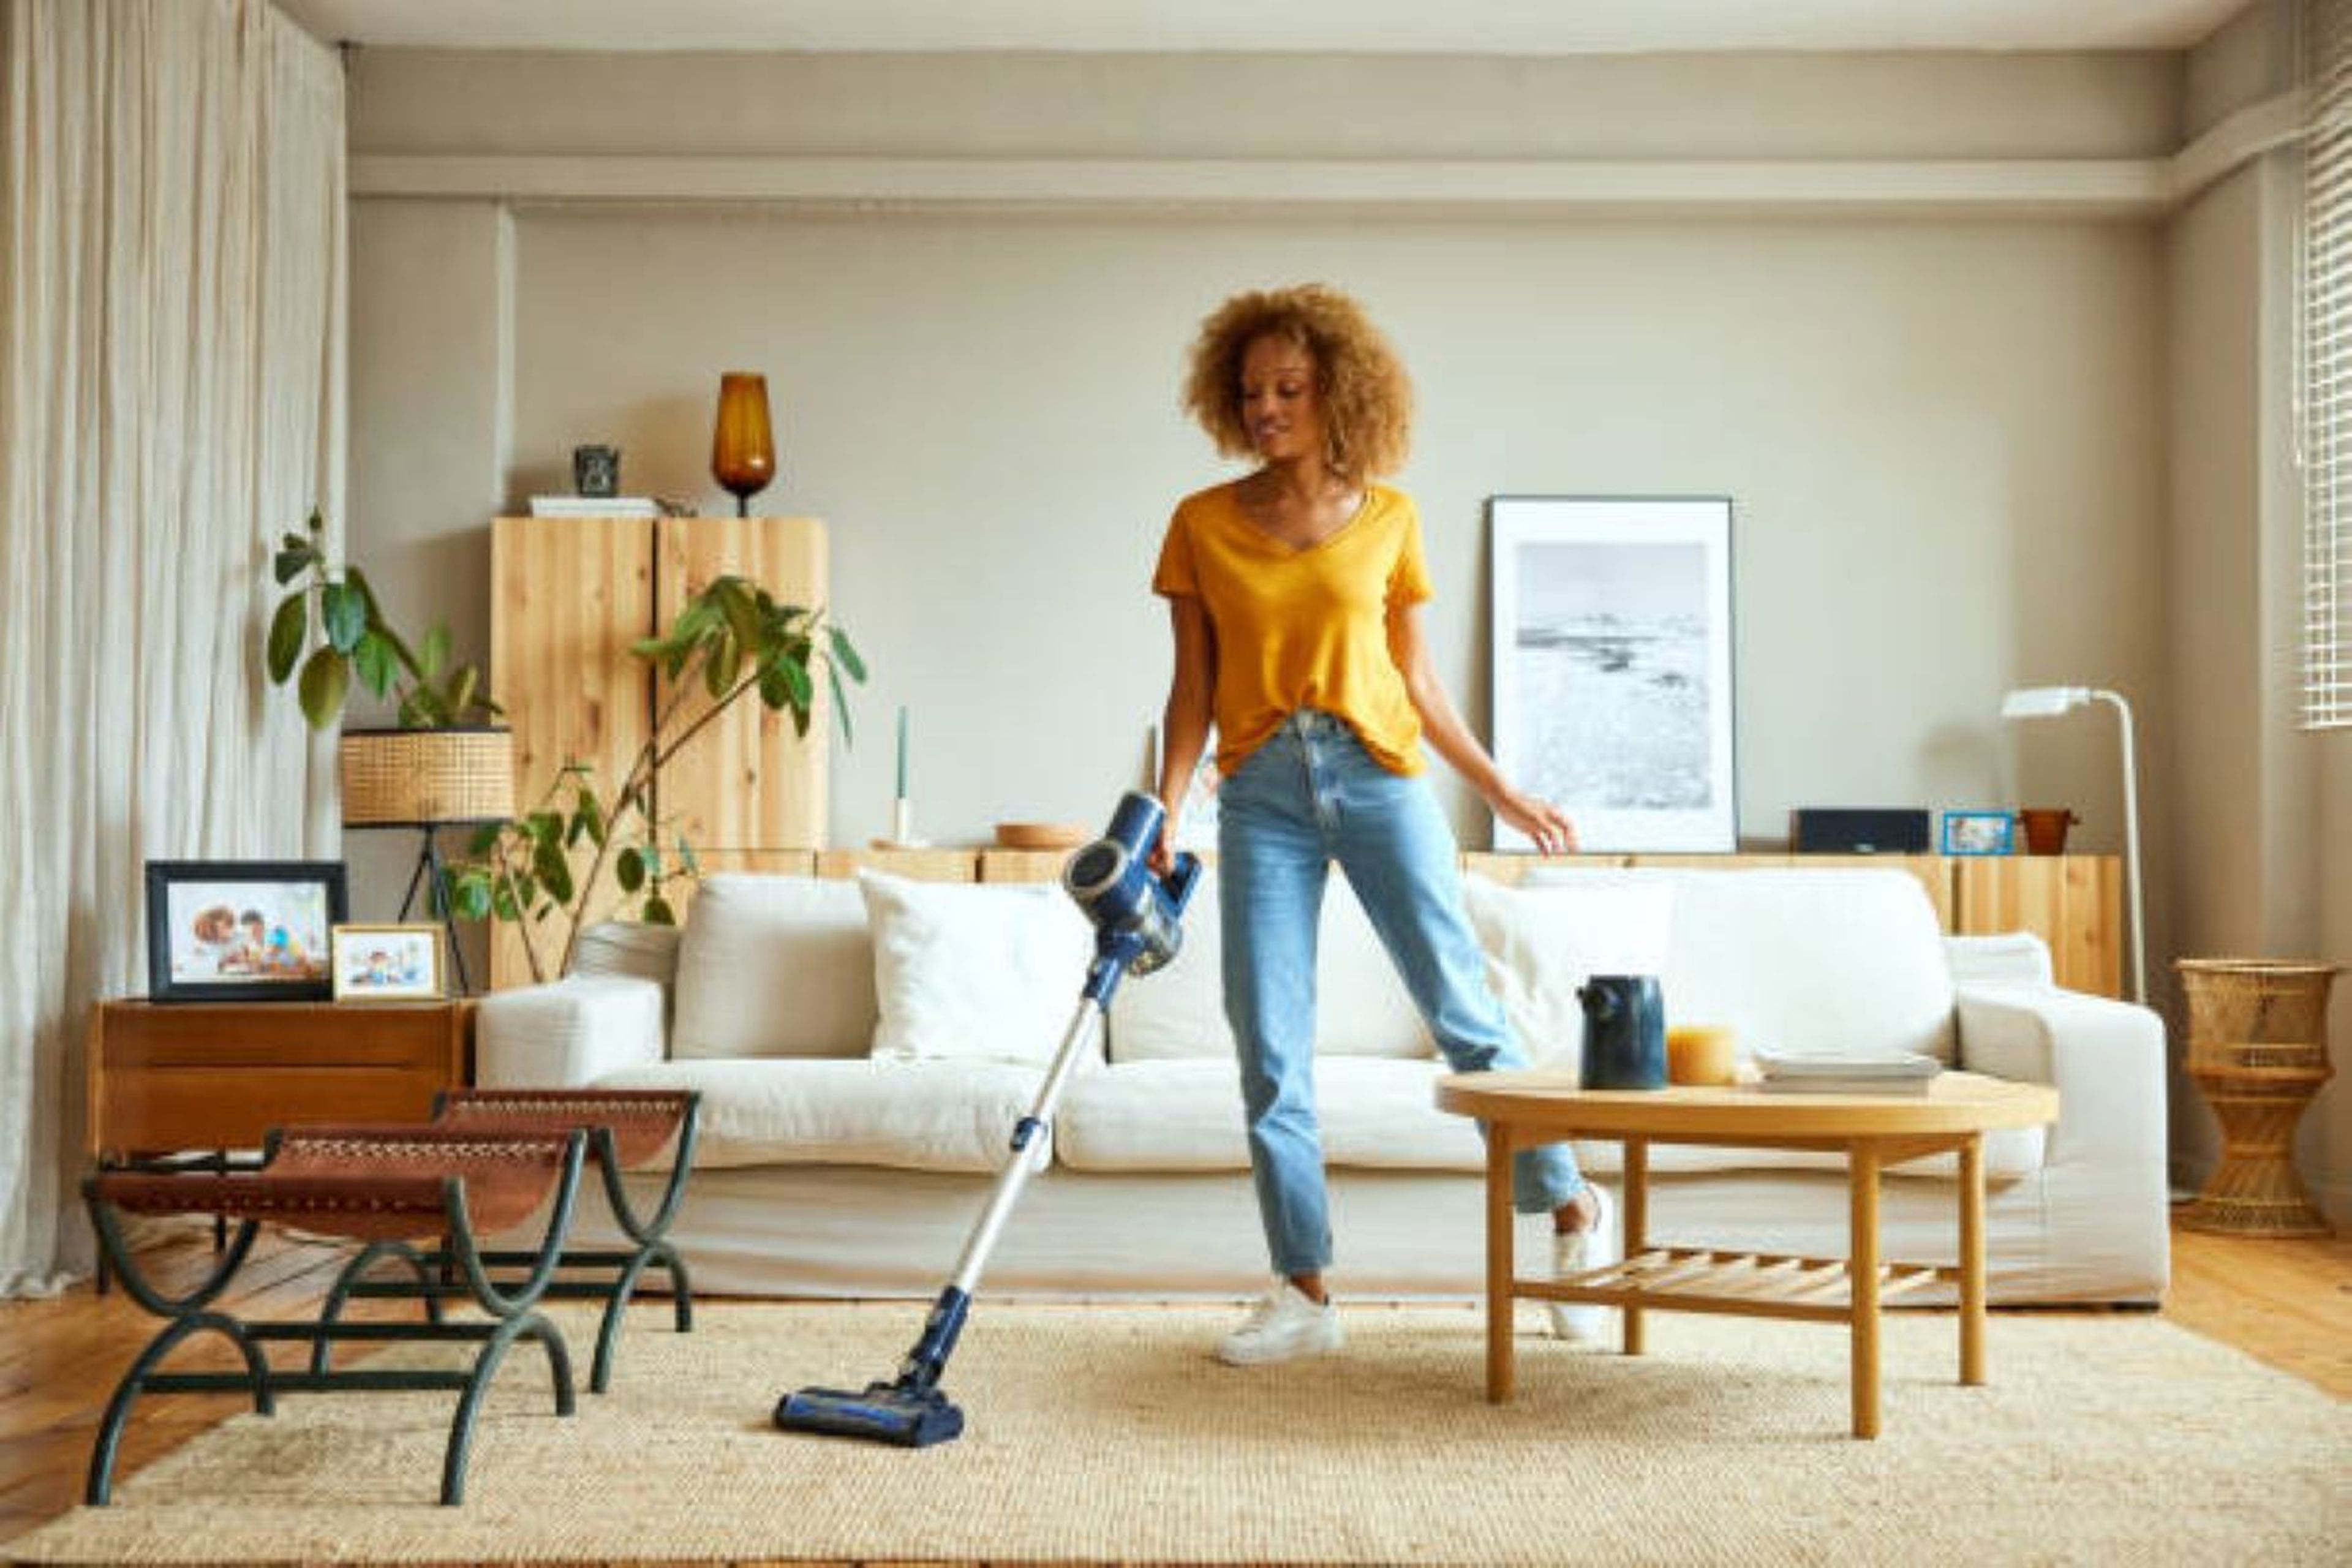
x: 243, y: 930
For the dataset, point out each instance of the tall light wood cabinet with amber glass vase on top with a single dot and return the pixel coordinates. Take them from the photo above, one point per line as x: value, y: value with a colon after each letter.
x: 573, y: 598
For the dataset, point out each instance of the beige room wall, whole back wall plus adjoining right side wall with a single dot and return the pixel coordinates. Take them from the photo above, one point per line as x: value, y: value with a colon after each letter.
x: 1967, y: 453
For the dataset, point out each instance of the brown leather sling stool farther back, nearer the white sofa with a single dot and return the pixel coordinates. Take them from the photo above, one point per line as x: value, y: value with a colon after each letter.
x: 624, y: 1130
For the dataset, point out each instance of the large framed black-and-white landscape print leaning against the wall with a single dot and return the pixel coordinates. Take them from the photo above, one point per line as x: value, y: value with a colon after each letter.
x: 1612, y: 666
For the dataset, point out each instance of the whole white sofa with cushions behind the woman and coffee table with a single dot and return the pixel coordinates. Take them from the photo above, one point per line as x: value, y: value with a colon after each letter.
x: 864, y: 1050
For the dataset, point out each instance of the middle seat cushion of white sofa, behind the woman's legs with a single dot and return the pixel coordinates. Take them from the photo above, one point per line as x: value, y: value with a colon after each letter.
x: 1187, y: 1115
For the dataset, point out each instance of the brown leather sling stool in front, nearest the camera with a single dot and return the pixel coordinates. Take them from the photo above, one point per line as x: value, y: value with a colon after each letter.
x: 385, y: 1188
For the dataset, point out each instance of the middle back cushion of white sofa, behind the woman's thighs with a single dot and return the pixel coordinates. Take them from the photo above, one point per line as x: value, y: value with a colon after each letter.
x: 1361, y: 1005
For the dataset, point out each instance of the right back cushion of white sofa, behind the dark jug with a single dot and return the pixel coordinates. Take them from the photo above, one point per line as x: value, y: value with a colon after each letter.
x: 1803, y: 960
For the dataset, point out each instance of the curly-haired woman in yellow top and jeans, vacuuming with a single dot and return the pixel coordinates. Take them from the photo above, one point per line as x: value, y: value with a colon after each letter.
x: 1297, y: 610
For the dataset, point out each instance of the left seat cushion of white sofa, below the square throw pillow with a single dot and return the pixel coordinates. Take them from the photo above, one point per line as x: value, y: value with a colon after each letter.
x: 857, y: 1113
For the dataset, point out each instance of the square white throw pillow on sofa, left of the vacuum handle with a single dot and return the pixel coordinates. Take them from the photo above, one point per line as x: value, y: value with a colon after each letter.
x: 975, y: 972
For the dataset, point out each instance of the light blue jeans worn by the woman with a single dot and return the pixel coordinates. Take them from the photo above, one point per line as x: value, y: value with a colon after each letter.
x: 1307, y: 798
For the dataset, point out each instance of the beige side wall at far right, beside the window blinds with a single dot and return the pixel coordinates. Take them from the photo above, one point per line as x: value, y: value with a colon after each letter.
x: 2261, y: 805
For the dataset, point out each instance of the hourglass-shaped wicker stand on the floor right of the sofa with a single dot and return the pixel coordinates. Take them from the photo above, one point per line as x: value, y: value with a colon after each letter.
x: 2259, y: 1052
